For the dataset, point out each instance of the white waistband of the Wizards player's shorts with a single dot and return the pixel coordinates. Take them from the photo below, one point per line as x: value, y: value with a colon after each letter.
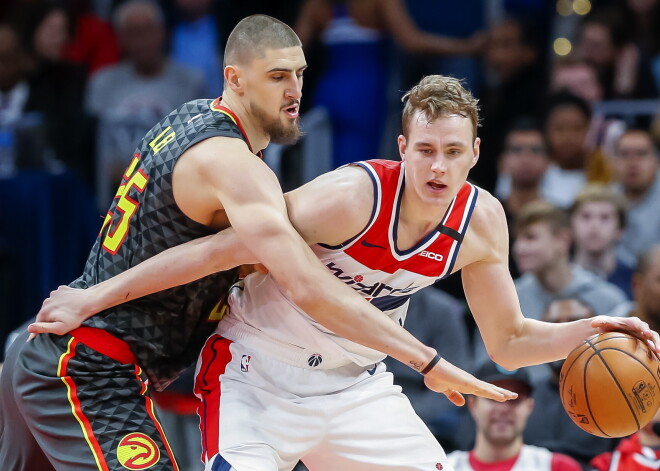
x: 250, y: 337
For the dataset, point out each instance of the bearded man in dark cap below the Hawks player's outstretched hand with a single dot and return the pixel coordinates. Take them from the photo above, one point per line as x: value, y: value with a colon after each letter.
x: 499, y: 441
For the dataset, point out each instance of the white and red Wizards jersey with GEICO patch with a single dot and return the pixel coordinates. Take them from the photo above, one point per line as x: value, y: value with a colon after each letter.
x: 370, y: 263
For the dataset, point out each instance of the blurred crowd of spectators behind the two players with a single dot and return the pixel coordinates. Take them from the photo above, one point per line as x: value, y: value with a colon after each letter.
x: 570, y: 113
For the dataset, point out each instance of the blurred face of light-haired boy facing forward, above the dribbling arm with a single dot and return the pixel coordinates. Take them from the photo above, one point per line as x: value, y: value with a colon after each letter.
x: 596, y: 226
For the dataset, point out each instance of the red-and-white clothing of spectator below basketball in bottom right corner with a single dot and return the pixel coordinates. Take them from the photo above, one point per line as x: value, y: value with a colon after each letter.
x: 639, y: 452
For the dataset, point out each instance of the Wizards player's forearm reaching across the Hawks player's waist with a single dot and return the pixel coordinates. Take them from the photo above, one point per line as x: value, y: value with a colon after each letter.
x: 173, y: 267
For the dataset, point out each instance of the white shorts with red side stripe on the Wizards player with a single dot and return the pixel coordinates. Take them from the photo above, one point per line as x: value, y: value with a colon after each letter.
x: 261, y: 414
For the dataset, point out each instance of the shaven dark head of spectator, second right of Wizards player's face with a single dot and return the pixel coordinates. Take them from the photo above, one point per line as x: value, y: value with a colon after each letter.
x: 566, y: 132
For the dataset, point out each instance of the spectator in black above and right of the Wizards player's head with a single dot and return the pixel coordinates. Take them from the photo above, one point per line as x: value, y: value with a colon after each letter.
x: 514, y: 87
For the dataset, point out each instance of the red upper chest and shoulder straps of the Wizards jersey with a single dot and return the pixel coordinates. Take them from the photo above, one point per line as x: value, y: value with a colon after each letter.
x: 374, y: 248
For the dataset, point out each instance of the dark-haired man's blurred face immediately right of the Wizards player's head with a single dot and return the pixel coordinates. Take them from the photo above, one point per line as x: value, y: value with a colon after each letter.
x: 525, y: 158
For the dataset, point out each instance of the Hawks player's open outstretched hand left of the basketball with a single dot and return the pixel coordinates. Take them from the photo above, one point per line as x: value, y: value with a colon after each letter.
x: 453, y: 382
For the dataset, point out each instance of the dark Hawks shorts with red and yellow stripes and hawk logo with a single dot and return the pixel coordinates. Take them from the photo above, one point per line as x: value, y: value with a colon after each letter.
x: 66, y: 406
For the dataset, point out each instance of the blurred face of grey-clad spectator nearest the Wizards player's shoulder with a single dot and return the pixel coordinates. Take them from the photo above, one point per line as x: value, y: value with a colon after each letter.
x: 538, y: 248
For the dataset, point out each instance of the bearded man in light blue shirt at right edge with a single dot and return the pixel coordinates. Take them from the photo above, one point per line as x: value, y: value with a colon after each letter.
x: 637, y: 173
